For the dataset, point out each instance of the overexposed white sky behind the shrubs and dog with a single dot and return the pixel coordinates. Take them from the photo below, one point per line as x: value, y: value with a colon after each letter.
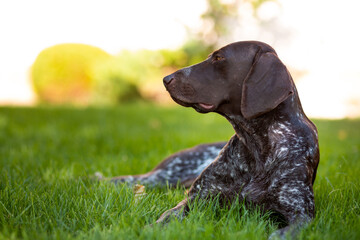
x: 319, y: 37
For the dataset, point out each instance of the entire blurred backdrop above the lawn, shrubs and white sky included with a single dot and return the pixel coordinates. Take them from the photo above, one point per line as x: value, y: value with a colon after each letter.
x: 111, y: 52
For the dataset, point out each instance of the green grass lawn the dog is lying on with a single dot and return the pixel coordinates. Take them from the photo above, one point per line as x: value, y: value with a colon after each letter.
x: 47, y: 155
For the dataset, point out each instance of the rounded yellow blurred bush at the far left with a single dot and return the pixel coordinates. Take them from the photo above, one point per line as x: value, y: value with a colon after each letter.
x: 62, y: 73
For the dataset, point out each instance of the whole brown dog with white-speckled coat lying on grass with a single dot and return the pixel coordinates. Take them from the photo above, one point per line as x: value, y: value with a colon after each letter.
x: 271, y: 160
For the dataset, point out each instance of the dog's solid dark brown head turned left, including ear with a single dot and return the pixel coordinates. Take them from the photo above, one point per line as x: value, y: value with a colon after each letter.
x: 243, y: 77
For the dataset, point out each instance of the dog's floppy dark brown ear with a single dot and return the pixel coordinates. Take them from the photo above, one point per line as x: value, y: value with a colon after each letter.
x: 267, y: 85
